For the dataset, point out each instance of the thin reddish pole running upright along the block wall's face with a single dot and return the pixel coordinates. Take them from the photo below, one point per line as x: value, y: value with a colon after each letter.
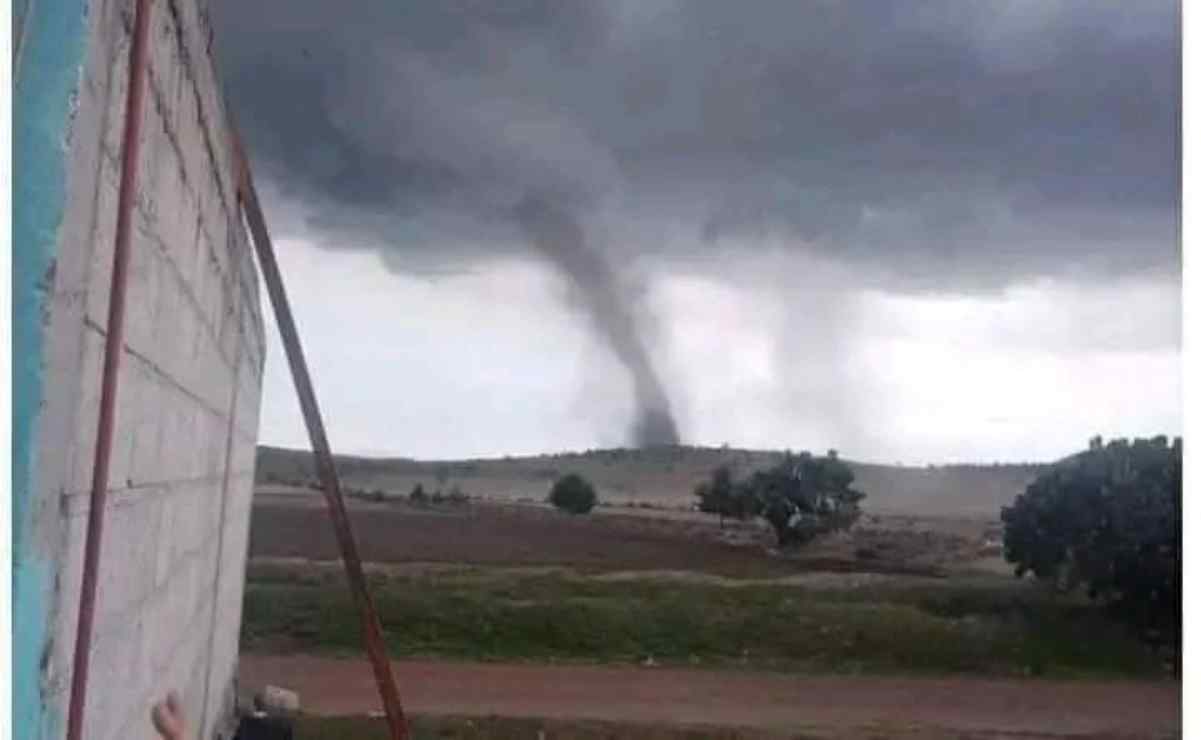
x: 115, y: 333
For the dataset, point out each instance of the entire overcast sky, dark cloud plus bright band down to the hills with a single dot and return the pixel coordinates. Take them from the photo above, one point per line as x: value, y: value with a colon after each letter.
x: 917, y: 231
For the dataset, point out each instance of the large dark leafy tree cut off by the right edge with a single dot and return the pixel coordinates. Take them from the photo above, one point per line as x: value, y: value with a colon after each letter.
x: 1109, y: 520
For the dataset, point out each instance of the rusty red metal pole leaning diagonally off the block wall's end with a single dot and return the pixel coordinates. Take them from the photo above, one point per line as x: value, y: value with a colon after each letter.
x: 373, y: 635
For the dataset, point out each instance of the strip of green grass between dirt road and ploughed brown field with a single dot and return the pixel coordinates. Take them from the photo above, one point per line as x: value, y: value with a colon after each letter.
x: 984, y: 626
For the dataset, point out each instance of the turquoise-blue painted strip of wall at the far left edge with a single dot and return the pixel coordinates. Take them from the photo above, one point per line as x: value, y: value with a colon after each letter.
x: 46, y: 82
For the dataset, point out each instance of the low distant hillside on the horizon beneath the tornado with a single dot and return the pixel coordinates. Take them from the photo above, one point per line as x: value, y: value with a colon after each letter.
x: 666, y: 476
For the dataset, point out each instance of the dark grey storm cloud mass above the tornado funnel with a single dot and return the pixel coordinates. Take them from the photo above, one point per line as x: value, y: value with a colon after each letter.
x: 960, y: 144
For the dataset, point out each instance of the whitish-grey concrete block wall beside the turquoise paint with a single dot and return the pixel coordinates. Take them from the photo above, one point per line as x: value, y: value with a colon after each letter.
x: 174, y: 559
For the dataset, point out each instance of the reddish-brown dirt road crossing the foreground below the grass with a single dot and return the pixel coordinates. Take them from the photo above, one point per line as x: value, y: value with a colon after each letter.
x: 973, y: 707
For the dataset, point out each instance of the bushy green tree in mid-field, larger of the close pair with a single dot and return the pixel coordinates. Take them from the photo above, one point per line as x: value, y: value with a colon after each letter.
x: 804, y: 497
